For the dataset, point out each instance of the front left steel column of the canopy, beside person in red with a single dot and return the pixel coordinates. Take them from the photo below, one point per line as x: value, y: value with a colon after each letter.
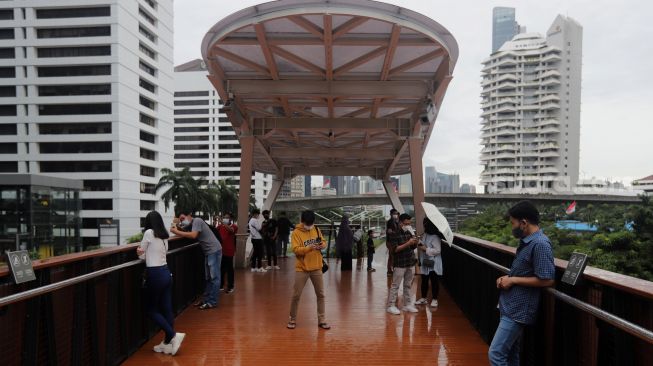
x: 246, y: 160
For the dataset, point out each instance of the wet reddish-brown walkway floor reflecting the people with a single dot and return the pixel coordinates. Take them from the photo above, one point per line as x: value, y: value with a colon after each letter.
x: 249, y: 326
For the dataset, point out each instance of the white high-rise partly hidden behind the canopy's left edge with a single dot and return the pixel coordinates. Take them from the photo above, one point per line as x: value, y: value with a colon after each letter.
x: 204, y: 140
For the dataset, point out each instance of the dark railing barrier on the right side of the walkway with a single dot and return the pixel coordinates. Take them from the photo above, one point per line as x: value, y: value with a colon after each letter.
x: 600, y: 321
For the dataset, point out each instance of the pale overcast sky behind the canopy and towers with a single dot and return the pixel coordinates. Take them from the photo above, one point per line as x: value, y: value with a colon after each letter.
x: 617, y: 92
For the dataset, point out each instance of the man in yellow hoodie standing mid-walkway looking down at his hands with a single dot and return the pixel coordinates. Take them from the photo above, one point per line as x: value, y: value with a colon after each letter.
x: 307, y: 244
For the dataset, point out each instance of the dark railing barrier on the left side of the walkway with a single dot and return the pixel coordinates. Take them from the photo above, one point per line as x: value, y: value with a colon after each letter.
x: 90, y: 309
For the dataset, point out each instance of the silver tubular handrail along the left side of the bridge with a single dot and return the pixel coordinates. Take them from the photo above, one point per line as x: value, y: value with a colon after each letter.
x: 25, y: 295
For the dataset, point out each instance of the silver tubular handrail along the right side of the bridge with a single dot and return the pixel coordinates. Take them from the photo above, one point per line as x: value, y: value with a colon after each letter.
x: 633, y: 329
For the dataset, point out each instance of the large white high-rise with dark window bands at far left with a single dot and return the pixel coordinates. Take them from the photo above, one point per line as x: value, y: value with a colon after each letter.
x: 86, y: 94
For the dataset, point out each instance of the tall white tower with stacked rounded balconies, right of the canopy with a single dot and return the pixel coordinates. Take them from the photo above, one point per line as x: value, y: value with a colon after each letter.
x: 531, y: 111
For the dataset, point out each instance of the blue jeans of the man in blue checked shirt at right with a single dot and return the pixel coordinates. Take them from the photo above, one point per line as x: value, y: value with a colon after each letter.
x: 504, y: 349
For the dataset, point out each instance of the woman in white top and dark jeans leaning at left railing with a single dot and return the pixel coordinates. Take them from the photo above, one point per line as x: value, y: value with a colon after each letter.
x: 158, y: 282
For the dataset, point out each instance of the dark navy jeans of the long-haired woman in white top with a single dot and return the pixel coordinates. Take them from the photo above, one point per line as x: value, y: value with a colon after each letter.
x: 158, y: 290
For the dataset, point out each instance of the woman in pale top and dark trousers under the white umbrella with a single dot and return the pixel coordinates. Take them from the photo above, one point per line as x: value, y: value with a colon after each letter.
x: 430, y: 259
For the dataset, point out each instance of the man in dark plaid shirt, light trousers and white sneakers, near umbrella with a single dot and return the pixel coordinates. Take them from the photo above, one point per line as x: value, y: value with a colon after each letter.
x: 402, y: 244
